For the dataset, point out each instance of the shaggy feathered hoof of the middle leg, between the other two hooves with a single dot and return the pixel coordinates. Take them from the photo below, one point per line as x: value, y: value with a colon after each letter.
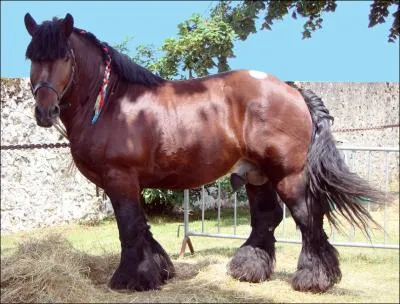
x: 251, y: 264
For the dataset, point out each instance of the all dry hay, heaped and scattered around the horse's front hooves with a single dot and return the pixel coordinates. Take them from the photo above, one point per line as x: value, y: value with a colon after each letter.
x: 52, y: 270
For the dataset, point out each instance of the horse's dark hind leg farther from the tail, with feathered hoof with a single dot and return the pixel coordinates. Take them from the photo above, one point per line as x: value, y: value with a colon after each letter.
x: 254, y: 260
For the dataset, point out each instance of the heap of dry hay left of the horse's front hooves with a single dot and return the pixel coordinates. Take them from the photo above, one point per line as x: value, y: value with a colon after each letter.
x: 51, y: 270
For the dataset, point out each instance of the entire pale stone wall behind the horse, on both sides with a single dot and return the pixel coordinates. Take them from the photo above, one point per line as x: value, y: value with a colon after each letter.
x: 37, y: 189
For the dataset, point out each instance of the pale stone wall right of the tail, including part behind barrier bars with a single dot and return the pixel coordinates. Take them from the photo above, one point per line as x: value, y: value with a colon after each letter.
x: 364, y: 105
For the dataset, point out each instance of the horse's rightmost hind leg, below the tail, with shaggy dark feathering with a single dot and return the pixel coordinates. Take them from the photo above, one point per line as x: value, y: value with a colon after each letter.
x: 318, y: 264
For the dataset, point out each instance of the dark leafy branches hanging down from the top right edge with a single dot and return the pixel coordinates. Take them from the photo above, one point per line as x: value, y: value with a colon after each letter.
x: 242, y: 16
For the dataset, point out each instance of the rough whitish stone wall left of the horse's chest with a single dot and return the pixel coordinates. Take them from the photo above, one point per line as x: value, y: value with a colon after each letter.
x: 37, y: 187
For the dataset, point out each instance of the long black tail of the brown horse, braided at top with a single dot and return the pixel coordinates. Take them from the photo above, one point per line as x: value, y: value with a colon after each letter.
x: 330, y: 181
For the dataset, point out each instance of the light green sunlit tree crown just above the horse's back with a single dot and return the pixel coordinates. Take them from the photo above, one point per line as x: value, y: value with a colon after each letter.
x: 201, y: 44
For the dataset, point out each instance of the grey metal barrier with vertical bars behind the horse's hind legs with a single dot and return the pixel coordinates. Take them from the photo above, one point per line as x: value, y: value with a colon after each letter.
x: 379, y: 165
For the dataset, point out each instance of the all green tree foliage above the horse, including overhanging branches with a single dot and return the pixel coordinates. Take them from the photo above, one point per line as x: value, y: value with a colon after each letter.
x: 203, y: 44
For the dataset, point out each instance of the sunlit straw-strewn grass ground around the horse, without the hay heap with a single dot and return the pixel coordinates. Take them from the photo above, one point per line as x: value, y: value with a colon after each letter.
x: 369, y: 275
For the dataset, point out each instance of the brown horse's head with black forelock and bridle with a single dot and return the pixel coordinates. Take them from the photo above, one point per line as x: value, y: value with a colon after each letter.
x: 52, y: 65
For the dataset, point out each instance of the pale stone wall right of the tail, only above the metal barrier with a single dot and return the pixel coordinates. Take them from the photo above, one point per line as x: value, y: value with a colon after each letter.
x: 359, y: 105
